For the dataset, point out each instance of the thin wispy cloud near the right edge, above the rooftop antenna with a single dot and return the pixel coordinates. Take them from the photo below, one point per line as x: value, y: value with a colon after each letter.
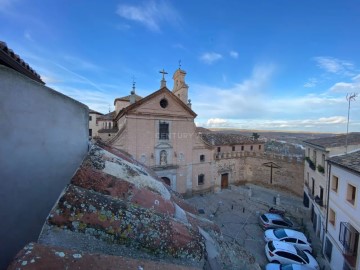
x: 335, y: 66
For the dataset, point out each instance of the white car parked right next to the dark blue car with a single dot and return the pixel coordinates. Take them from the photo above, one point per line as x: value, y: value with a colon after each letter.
x: 293, y: 237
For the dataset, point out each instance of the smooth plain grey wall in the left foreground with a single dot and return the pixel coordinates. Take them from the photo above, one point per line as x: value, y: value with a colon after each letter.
x: 44, y: 137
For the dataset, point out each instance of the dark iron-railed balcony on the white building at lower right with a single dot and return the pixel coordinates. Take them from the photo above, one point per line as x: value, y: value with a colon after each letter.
x: 349, y: 238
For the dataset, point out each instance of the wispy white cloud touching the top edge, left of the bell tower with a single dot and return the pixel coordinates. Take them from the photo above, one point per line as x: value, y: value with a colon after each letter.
x: 149, y: 13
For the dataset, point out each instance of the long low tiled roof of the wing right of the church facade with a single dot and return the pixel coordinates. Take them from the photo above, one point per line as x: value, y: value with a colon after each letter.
x: 218, y: 139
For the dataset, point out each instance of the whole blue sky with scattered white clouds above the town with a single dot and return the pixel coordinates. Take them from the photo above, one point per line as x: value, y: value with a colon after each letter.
x: 274, y: 65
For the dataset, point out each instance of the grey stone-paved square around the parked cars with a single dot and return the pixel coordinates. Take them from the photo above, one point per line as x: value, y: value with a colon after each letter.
x: 236, y: 211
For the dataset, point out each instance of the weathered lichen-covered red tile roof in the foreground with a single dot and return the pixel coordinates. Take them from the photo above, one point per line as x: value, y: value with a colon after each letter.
x: 116, y: 206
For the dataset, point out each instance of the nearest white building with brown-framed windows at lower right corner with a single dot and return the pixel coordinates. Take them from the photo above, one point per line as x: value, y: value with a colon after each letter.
x: 341, y: 247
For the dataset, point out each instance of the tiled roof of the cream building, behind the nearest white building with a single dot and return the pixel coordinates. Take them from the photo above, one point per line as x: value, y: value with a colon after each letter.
x: 335, y: 141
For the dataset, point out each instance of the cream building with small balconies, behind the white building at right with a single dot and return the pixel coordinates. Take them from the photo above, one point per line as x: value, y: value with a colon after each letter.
x: 316, y: 186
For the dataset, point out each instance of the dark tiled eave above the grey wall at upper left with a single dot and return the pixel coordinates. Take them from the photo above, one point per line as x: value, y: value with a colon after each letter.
x: 12, y: 60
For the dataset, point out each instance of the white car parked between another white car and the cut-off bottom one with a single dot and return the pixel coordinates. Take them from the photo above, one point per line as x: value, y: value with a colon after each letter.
x: 284, y: 253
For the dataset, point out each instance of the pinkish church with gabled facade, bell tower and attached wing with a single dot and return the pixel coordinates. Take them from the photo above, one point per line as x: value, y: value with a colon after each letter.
x: 159, y: 131
